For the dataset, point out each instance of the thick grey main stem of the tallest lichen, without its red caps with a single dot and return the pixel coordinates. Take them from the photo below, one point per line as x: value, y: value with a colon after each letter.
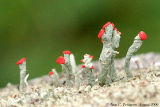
x: 106, y: 57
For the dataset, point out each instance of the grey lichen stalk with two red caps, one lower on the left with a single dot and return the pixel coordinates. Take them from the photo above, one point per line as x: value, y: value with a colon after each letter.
x: 66, y: 67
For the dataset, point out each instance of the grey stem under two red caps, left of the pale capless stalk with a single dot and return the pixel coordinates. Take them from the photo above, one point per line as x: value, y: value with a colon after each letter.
x: 67, y: 67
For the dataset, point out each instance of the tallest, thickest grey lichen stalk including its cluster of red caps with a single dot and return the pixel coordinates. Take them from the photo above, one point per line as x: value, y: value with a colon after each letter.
x: 110, y: 38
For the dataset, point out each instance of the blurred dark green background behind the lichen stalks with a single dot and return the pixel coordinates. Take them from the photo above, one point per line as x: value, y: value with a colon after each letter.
x: 41, y: 29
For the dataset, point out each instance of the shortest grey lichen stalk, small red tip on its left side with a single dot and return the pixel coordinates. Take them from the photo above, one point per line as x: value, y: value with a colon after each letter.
x: 55, y: 77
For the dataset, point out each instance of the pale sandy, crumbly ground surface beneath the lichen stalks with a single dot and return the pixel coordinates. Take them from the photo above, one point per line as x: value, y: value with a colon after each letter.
x: 142, y: 90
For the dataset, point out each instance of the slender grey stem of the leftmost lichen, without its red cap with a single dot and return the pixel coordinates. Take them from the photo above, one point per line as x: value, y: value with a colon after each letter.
x: 22, y: 68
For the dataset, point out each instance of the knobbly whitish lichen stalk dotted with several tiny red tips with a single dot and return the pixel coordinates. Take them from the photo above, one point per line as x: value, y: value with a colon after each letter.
x: 88, y: 67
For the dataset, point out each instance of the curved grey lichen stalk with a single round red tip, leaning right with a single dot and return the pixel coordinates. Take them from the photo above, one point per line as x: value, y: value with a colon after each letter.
x: 134, y: 48
